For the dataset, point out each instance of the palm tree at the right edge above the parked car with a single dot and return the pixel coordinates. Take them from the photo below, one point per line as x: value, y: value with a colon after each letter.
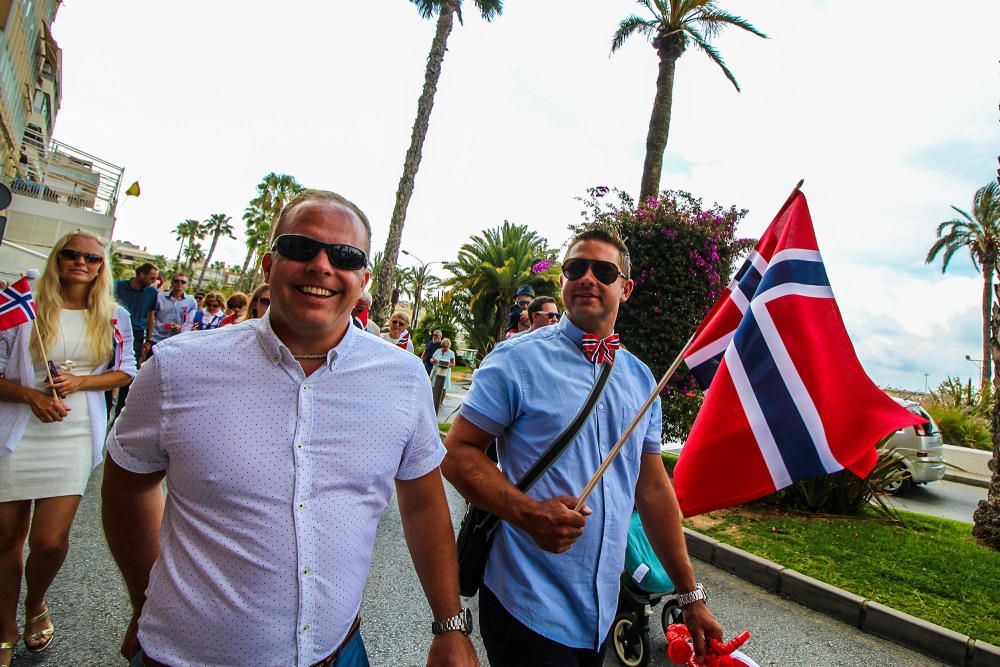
x: 980, y: 234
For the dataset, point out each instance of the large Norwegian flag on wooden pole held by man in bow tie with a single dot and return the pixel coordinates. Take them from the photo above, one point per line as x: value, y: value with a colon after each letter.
x: 786, y: 398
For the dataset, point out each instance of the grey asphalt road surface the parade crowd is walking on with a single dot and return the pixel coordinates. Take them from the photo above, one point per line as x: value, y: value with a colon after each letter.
x: 90, y: 610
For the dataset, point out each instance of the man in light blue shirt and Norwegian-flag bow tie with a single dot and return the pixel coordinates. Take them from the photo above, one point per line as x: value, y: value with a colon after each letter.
x: 551, y: 583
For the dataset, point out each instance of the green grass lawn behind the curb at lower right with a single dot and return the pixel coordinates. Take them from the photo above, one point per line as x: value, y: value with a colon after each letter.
x: 928, y: 567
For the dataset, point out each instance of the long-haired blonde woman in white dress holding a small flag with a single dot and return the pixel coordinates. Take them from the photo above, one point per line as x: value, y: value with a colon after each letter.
x: 52, y: 434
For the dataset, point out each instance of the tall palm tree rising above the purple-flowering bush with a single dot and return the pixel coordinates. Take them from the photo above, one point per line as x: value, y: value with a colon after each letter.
x: 674, y: 23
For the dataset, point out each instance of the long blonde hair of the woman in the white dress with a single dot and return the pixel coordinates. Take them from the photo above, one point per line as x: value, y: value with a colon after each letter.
x: 98, y: 330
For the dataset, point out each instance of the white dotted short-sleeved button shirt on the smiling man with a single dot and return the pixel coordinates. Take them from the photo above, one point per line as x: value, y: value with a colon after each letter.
x: 270, y: 521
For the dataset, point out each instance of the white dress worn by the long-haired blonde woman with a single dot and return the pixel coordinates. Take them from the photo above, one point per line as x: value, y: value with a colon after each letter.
x: 55, y: 459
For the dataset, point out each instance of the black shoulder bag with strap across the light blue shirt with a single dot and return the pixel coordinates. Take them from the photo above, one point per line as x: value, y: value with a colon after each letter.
x: 475, y: 536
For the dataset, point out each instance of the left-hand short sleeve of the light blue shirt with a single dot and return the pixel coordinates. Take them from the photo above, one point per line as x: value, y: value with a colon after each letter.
x: 494, y: 400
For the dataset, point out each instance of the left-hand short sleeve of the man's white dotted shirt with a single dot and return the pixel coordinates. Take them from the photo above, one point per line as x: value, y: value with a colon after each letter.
x: 135, y: 439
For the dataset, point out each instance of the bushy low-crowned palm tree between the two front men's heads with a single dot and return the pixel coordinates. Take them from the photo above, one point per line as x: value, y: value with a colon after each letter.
x: 487, y: 273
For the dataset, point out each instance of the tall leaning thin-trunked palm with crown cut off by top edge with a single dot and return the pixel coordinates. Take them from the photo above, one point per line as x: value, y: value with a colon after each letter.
x: 446, y: 11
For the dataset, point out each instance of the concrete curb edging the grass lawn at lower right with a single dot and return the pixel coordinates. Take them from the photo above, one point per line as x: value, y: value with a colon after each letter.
x: 874, y: 618
